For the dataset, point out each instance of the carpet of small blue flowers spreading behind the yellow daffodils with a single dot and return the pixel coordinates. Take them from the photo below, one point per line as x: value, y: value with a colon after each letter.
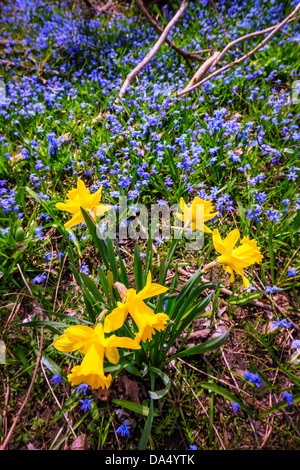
x: 153, y: 144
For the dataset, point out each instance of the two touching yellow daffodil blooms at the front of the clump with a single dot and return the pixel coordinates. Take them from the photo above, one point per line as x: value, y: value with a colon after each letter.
x: 94, y: 344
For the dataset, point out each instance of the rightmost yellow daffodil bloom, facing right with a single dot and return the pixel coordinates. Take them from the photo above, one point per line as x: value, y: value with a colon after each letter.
x: 235, y: 259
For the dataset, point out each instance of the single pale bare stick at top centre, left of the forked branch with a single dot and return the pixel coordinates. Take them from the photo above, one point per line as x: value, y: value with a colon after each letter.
x: 130, y: 77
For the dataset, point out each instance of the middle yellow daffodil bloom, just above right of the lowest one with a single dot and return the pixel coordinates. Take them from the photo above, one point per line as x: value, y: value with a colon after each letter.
x: 145, y: 319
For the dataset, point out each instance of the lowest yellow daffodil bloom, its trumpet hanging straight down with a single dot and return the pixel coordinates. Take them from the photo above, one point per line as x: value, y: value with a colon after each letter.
x: 91, y: 342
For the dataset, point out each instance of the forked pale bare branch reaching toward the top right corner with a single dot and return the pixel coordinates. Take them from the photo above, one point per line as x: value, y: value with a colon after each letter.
x: 274, y: 30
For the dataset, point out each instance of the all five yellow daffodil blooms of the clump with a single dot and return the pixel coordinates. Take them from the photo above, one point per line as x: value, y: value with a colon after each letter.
x: 100, y: 342
